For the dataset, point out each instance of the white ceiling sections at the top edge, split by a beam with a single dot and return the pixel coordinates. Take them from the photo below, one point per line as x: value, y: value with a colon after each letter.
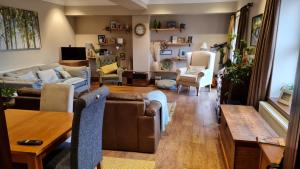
x: 108, y: 2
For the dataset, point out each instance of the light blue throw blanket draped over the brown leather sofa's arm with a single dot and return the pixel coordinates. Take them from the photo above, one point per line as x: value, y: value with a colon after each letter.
x: 162, y: 98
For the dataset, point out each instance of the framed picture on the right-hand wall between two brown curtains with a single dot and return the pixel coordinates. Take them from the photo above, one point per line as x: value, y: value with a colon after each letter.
x: 255, y: 29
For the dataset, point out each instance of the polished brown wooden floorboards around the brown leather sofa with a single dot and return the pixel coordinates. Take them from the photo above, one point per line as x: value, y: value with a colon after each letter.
x: 191, y: 138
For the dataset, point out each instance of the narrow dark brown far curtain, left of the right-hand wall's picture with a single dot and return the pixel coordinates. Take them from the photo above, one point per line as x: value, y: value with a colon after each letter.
x: 243, y: 26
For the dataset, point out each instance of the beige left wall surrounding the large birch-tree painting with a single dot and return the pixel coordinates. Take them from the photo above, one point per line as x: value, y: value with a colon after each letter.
x: 56, y: 31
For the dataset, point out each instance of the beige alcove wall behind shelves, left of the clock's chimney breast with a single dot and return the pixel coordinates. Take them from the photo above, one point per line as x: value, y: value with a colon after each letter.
x: 87, y: 29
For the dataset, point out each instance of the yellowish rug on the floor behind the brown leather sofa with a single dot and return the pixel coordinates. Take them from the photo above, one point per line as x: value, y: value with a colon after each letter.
x: 124, y: 163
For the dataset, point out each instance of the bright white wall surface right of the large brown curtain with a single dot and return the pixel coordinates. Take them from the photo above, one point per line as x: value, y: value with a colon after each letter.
x: 287, y: 46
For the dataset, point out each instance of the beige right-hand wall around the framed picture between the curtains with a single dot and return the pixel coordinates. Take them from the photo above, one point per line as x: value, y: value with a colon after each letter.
x: 257, y: 8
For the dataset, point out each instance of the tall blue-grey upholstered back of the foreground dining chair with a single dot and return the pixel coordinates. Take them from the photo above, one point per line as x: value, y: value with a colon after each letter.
x: 86, y: 144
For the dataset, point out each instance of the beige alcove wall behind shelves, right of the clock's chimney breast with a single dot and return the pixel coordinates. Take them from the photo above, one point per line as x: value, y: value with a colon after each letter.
x: 211, y: 29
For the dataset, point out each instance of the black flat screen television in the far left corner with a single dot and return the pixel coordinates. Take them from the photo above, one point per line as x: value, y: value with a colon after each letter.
x: 73, y: 53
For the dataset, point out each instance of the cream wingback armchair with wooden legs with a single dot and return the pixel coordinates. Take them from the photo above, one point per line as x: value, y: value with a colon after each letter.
x: 199, y: 70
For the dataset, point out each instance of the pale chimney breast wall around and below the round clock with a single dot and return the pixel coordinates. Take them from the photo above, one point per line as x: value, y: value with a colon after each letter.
x: 141, y: 45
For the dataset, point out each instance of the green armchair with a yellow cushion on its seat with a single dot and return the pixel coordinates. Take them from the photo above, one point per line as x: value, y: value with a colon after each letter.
x: 114, y: 76
